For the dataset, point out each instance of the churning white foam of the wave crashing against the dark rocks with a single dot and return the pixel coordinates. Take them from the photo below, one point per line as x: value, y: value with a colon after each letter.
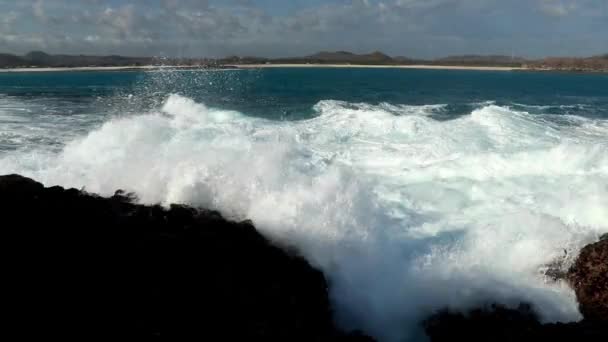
x: 404, y: 213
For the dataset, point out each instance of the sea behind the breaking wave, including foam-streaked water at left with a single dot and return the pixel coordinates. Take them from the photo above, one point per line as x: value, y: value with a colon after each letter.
x: 30, y: 101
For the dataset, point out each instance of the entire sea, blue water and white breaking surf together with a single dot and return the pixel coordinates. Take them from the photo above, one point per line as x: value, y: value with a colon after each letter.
x: 413, y: 190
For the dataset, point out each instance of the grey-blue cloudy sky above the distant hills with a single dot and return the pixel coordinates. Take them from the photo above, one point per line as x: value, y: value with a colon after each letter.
x: 280, y: 28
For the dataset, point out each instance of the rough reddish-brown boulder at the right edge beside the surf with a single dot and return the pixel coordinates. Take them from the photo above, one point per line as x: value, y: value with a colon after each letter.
x: 589, y: 278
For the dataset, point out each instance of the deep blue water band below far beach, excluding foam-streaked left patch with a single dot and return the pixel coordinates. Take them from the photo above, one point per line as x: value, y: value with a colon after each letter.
x: 291, y: 93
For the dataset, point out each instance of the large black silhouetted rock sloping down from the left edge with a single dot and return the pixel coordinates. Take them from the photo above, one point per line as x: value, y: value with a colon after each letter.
x: 83, y: 266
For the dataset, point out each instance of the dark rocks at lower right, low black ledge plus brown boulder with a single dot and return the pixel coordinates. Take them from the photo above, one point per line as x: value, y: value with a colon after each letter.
x: 589, y: 278
